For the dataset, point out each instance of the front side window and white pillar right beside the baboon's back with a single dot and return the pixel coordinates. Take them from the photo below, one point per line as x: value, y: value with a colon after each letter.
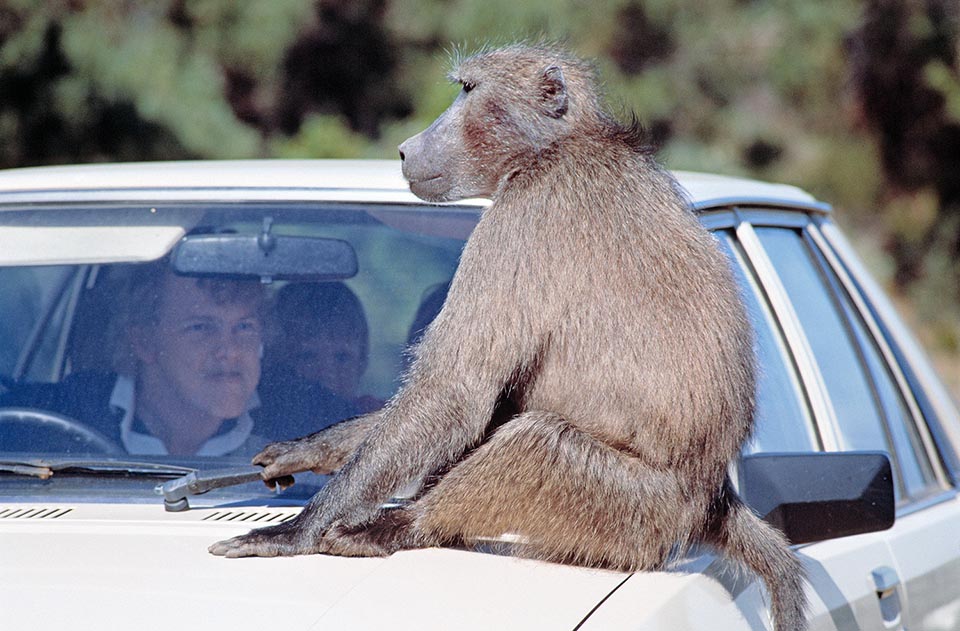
x: 783, y: 421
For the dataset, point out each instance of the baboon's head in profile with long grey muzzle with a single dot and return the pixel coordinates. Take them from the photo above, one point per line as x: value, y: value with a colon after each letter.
x: 515, y: 102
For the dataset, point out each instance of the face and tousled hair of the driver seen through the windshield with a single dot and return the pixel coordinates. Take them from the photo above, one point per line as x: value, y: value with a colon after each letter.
x: 205, y: 355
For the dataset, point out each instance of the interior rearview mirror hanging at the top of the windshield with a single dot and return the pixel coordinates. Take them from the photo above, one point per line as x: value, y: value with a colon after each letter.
x: 266, y: 256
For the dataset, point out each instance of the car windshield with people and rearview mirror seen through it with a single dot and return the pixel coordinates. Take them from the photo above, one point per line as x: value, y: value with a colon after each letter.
x: 108, y: 349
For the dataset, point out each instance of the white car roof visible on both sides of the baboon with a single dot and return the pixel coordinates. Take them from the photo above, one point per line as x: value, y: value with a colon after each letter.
x: 343, y: 180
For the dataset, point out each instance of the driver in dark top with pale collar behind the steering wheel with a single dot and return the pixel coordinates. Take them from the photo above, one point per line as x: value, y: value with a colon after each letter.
x: 188, y: 364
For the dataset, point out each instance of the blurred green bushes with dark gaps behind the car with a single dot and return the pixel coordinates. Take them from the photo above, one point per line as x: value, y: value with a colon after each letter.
x: 855, y: 100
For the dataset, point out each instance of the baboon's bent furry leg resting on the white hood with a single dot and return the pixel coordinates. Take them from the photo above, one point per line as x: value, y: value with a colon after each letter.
x: 569, y: 497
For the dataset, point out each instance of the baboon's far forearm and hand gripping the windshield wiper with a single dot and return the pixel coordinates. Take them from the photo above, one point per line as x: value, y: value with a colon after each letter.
x: 322, y: 452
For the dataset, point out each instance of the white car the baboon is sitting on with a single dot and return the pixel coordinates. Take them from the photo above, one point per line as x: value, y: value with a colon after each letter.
x: 99, y: 531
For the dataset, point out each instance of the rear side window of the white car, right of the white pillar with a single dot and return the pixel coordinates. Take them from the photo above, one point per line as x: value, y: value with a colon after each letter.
x: 870, y: 411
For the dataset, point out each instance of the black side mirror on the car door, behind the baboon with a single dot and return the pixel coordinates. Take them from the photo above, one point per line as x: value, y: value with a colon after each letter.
x: 820, y: 496
